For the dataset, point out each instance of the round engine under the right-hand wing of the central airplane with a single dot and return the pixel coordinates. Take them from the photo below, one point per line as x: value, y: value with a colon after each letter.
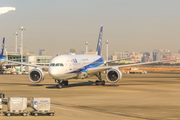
x: 113, y: 75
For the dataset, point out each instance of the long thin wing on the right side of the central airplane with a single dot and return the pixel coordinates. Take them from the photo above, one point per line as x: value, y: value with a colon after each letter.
x: 99, y: 69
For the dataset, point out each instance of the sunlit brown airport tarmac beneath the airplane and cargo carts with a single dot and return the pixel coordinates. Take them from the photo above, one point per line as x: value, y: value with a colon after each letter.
x: 152, y: 96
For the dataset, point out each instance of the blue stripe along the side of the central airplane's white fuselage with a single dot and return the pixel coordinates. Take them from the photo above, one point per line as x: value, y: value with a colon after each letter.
x: 96, y: 63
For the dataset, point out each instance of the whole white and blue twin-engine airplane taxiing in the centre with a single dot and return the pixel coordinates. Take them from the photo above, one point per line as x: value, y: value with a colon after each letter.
x: 66, y: 67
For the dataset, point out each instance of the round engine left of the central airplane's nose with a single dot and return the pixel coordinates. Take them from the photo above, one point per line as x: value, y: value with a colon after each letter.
x: 36, y: 75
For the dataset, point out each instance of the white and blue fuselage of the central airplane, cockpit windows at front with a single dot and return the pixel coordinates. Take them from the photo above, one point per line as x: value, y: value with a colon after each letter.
x: 71, y: 66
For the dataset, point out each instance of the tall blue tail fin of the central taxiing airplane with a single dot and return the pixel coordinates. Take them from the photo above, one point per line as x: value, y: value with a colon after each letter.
x: 99, y: 44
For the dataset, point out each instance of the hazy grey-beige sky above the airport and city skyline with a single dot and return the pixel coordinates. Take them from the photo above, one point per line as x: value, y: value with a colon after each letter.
x: 58, y: 25
